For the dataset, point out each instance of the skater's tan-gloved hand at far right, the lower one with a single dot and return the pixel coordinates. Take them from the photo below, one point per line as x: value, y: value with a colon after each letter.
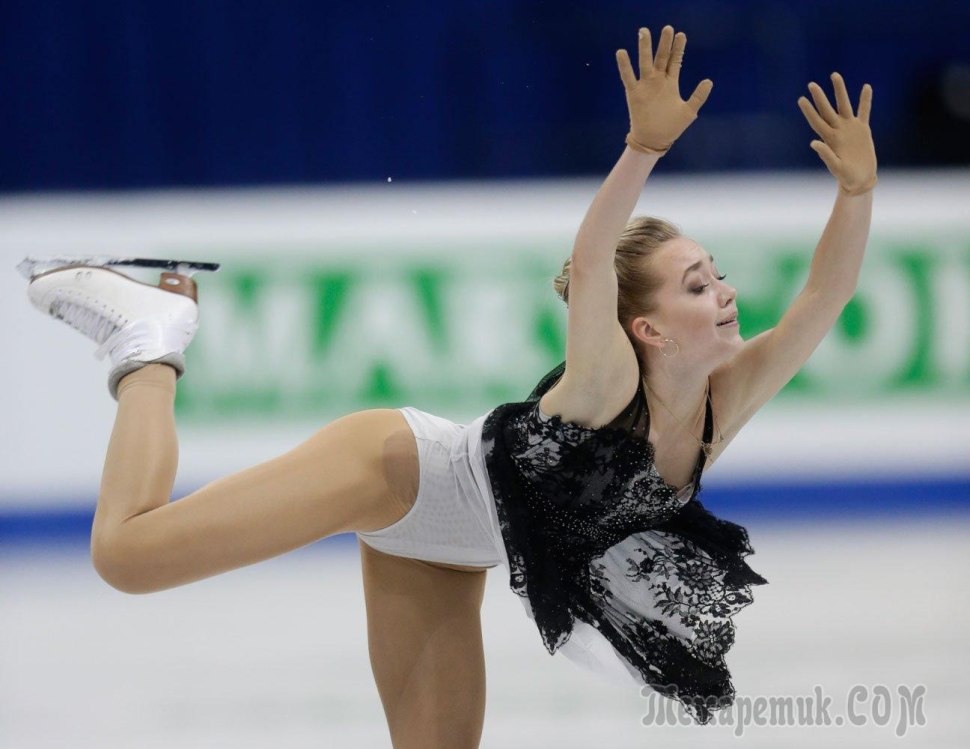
x: 847, y: 150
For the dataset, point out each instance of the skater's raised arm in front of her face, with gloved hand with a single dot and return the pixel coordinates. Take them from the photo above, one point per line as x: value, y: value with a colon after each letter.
x: 769, y: 360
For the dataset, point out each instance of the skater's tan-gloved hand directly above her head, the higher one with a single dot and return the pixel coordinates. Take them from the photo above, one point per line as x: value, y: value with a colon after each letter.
x: 657, y: 113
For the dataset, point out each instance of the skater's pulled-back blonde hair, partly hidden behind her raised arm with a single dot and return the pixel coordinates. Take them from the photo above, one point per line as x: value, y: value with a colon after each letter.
x: 637, y: 285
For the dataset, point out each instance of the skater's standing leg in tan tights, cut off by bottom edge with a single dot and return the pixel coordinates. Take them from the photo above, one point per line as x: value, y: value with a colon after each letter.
x: 425, y: 641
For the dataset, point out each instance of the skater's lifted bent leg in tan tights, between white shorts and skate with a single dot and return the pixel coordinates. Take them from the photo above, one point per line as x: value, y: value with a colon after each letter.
x: 357, y: 473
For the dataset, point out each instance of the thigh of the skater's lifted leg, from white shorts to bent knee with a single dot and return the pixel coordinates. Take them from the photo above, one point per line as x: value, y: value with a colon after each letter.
x: 359, y: 472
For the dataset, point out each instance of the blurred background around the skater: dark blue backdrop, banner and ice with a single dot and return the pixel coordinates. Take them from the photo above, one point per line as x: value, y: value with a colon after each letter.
x: 391, y: 188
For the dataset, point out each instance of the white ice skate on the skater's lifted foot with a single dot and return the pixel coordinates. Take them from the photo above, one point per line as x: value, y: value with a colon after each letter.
x: 134, y: 323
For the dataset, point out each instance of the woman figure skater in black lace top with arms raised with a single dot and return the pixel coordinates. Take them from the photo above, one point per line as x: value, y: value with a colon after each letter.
x: 587, y: 491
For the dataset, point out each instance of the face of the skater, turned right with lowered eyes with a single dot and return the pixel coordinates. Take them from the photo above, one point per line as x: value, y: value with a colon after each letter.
x: 691, y: 302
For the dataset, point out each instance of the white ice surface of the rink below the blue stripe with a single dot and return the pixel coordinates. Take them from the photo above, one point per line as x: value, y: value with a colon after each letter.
x: 275, y: 655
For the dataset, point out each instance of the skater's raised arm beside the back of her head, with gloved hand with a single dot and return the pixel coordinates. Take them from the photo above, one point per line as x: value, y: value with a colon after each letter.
x: 658, y: 116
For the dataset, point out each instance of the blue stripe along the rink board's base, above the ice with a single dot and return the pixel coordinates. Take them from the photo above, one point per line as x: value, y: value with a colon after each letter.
x: 763, y: 503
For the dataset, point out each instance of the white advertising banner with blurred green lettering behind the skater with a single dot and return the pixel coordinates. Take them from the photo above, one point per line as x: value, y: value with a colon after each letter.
x: 440, y: 297
